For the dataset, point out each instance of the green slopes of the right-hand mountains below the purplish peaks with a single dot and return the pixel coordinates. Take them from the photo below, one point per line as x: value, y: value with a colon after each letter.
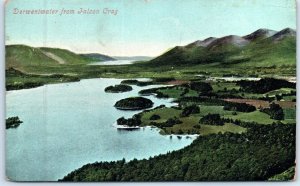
x: 258, y: 53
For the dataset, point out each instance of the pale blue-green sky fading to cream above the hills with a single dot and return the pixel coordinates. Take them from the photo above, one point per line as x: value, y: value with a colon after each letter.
x: 140, y: 27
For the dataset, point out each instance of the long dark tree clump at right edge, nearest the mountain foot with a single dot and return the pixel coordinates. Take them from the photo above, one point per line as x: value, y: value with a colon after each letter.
x: 264, y: 85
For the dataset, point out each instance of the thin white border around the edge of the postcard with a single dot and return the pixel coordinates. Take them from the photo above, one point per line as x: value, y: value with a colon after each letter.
x: 4, y: 182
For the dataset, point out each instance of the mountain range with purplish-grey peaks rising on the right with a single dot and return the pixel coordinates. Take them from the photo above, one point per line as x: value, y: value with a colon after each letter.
x: 263, y: 47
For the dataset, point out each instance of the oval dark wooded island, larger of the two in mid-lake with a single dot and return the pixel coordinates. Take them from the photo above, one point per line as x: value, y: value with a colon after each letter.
x: 134, y: 103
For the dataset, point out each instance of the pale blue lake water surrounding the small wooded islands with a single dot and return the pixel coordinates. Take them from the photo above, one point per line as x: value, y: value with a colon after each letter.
x: 69, y: 125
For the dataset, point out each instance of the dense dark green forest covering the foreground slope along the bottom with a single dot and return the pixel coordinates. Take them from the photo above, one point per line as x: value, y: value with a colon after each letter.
x: 256, y: 155
